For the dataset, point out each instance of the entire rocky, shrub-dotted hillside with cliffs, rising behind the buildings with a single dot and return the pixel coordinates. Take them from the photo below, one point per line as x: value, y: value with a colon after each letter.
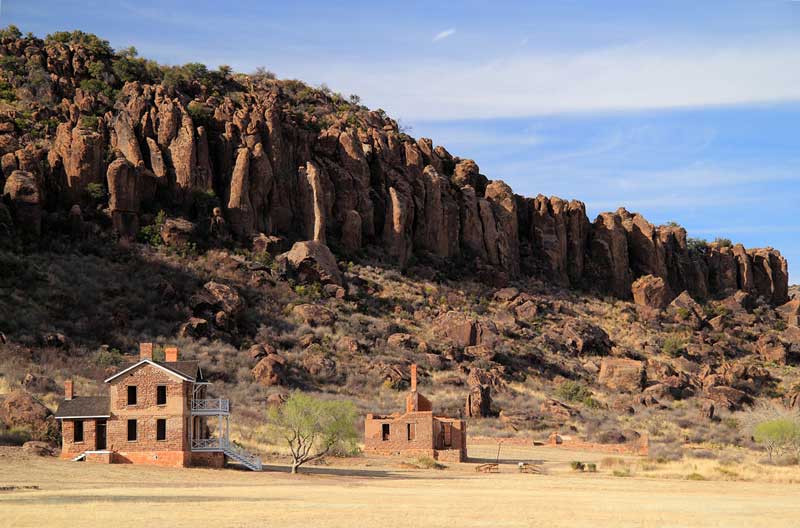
x: 176, y: 204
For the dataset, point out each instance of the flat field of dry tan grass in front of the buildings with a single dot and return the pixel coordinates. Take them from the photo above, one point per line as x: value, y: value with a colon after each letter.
x: 379, y: 492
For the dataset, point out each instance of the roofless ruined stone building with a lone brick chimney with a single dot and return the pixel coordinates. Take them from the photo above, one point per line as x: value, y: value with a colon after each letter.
x: 417, y: 432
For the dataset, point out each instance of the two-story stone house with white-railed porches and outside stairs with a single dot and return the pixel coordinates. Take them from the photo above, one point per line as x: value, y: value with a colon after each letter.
x: 156, y: 412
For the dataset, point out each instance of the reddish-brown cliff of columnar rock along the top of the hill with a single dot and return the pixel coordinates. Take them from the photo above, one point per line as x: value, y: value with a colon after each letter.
x: 78, y: 121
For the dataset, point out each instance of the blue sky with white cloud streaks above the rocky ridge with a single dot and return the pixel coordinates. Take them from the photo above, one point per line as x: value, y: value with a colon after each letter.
x: 684, y: 111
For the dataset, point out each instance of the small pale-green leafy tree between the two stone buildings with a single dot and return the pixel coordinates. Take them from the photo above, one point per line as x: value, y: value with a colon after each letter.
x: 313, y: 427
